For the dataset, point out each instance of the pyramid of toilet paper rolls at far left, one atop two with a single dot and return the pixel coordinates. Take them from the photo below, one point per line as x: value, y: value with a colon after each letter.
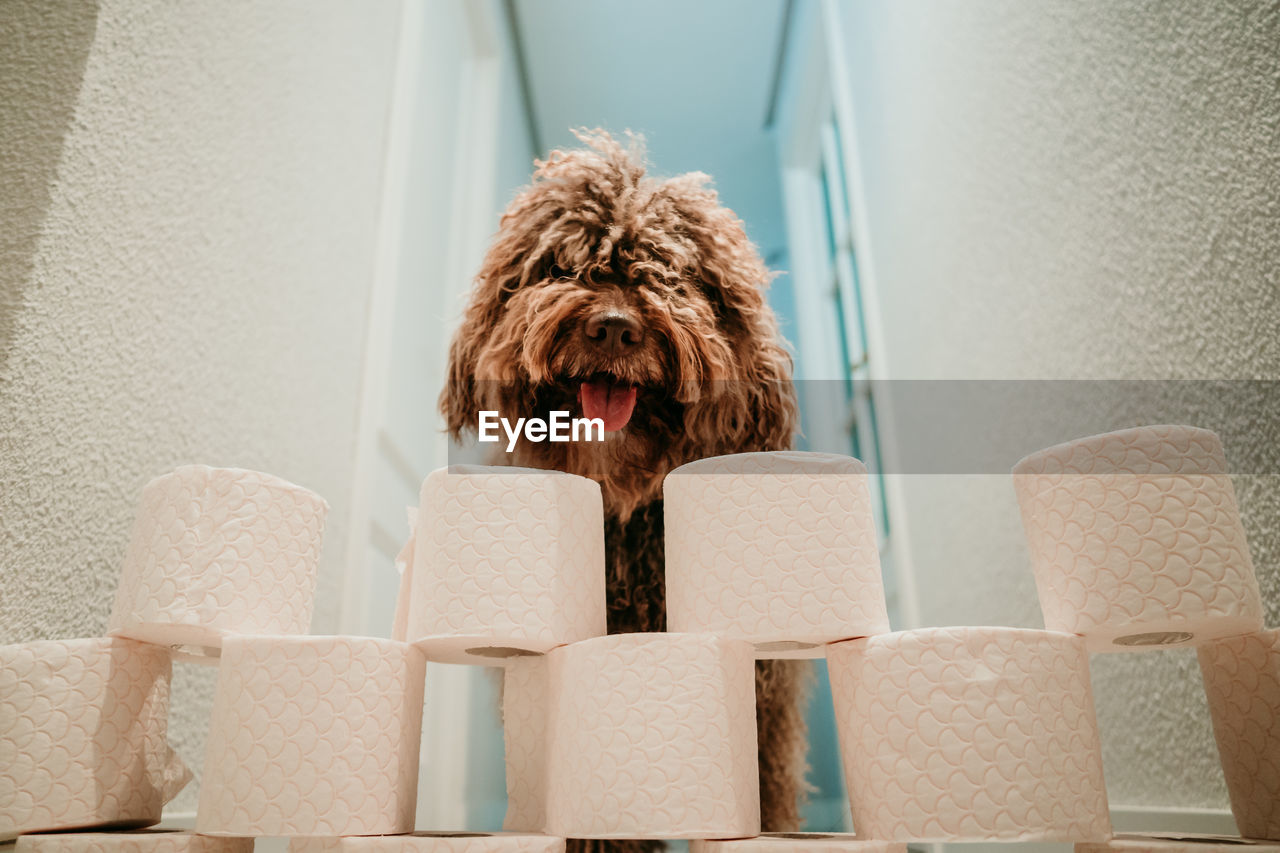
x: 316, y: 735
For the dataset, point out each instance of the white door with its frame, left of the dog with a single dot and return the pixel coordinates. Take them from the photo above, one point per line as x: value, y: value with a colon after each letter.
x: 436, y: 218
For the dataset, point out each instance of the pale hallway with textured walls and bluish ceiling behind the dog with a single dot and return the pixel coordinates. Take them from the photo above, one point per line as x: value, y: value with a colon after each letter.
x: 244, y: 235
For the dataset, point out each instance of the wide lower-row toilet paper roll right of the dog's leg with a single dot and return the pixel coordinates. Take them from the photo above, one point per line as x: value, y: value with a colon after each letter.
x: 970, y: 735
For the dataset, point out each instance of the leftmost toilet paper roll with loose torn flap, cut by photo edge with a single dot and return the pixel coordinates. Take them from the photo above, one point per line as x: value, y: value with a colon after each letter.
x: 83, y: 736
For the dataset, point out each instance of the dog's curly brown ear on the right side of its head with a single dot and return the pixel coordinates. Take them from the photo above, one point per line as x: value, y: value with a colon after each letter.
x: 753, y: 405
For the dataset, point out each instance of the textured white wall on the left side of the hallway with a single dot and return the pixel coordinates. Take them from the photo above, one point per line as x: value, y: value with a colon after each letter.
x: 190, y: 206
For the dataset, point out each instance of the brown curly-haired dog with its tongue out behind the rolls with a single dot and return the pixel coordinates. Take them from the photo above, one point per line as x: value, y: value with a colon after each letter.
x: 614, y: 295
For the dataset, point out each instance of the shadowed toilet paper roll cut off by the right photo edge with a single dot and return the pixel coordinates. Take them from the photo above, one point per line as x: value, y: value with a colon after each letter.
x: 1242, y: 682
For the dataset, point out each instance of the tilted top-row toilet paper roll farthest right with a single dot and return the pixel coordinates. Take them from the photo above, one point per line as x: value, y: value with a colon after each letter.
x: 1136, y: 540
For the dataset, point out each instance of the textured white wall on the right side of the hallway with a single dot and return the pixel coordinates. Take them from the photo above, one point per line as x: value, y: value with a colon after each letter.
x: 1075, y: 190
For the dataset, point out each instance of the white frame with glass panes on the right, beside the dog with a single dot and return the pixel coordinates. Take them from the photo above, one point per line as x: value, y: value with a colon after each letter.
x: 817, y: 135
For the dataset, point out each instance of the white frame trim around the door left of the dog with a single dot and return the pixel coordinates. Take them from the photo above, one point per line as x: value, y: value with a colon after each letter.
x: 446, y: 722
